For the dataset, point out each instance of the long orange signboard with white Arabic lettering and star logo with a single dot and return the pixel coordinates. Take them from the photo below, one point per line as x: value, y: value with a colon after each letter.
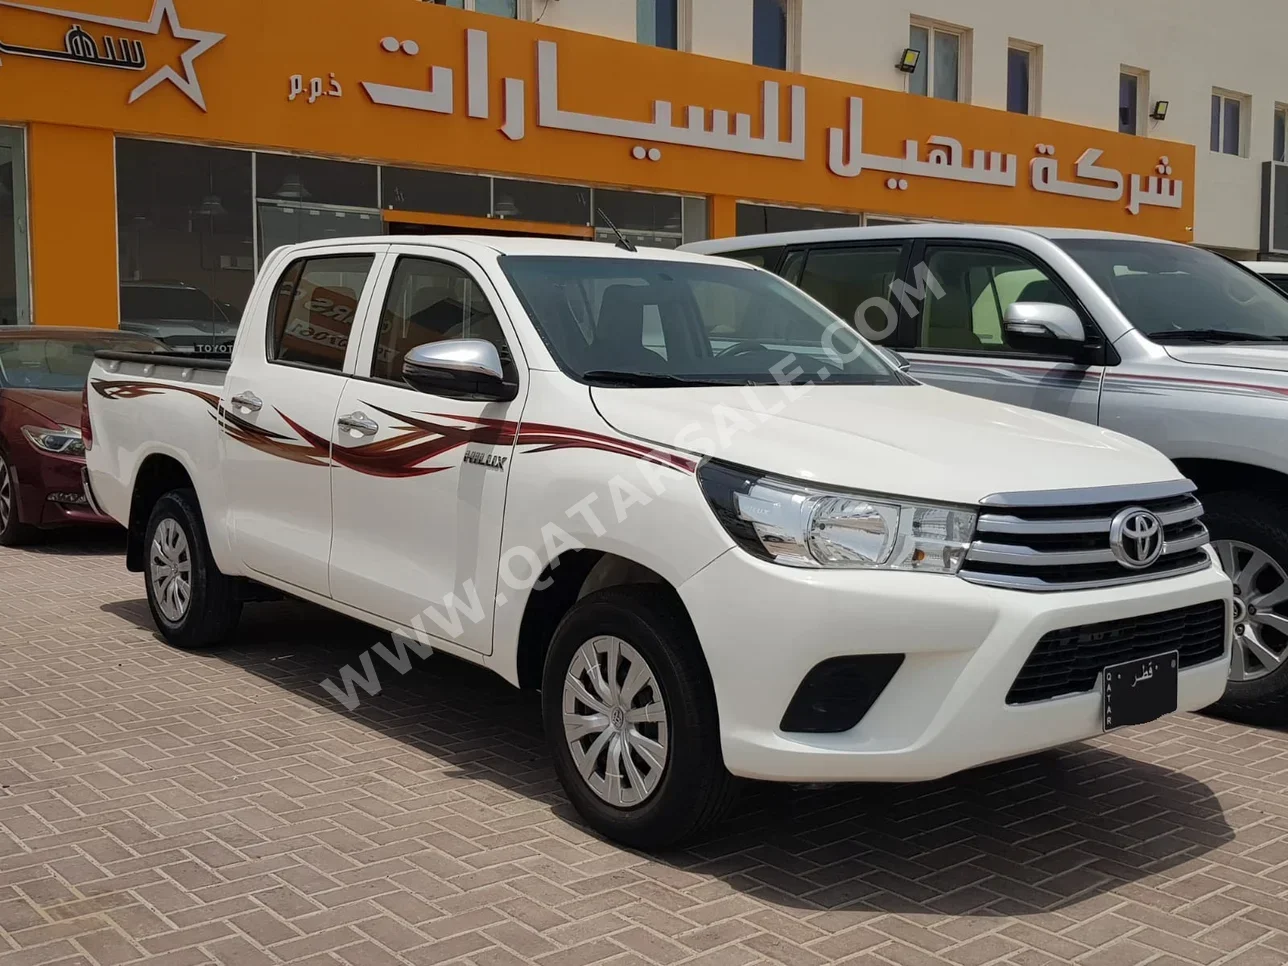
x: 421, y: 84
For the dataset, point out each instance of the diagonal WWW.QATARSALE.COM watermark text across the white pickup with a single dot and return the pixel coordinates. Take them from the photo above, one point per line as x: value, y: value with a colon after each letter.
x: 524, y: 570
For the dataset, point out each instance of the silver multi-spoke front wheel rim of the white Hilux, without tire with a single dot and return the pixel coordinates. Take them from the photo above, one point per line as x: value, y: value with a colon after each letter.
x: 615, y: 722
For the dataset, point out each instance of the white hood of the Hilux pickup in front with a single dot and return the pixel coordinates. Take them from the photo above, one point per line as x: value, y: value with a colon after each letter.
x: 906, y: 441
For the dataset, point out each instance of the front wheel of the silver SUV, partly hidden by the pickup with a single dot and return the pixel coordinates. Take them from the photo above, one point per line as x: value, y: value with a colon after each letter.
x: 1250, y: 533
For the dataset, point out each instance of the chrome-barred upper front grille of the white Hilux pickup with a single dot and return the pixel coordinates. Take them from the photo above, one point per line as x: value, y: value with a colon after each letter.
x: 1061, y: 540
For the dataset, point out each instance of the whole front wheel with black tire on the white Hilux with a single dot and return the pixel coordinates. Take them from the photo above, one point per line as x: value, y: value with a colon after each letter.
x: 630, y: 715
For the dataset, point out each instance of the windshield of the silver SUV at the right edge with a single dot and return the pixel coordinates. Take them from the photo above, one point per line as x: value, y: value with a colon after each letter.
x: 1169, y: 292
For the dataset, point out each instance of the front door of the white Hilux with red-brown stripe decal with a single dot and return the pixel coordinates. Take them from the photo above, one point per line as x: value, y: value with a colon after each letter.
x: 419, y: 481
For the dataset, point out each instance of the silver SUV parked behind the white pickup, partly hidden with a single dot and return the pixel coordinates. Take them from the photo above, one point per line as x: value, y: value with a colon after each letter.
x: 1169, y: 343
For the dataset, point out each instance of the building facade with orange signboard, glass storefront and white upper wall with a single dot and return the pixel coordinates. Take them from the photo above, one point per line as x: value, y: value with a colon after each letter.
x: 153, y: 153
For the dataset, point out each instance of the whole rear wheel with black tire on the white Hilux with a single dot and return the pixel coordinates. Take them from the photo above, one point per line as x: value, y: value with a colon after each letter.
x: 194, y: 605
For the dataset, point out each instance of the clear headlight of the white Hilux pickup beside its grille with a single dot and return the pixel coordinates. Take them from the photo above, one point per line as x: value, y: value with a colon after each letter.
x: 802, y: 526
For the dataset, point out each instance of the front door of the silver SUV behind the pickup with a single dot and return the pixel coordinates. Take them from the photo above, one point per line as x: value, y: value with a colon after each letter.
x: 960, y: 343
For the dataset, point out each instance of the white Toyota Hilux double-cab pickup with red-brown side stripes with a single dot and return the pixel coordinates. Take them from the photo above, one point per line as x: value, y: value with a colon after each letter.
x: 722, y: 534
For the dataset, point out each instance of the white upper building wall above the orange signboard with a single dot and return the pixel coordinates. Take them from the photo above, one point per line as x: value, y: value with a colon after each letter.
x: 1188, y: 47
